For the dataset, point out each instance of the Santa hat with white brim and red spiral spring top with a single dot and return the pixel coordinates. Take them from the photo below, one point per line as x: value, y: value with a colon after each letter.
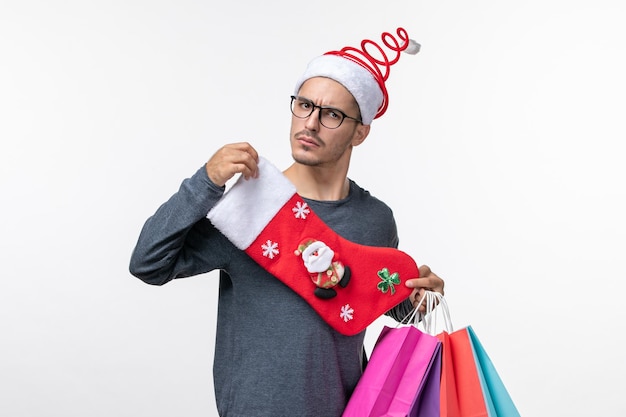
x: 361, y: 72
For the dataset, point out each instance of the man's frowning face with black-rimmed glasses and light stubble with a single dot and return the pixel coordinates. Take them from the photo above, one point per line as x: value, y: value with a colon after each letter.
x: 315, y: 145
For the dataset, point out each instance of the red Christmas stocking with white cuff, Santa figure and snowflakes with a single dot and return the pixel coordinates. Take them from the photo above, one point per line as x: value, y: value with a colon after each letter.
x: 347, y: 284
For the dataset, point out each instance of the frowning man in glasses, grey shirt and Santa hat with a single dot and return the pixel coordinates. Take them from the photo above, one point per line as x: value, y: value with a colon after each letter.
x: 274, y: 355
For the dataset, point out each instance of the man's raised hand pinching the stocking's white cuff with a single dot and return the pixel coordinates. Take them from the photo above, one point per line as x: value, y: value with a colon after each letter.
x: 232, y: 159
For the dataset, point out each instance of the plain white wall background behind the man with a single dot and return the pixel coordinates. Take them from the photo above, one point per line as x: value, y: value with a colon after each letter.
x: 501, y: 153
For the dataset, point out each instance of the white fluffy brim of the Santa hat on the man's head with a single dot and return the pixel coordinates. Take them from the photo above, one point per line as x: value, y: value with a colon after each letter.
x: 356, y: 79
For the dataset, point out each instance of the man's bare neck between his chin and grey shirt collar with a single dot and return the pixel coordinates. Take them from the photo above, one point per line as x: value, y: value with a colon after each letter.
x: 317, y: 183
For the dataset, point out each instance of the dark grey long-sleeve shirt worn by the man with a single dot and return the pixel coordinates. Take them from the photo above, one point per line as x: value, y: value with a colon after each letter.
x: 274, y: 356
